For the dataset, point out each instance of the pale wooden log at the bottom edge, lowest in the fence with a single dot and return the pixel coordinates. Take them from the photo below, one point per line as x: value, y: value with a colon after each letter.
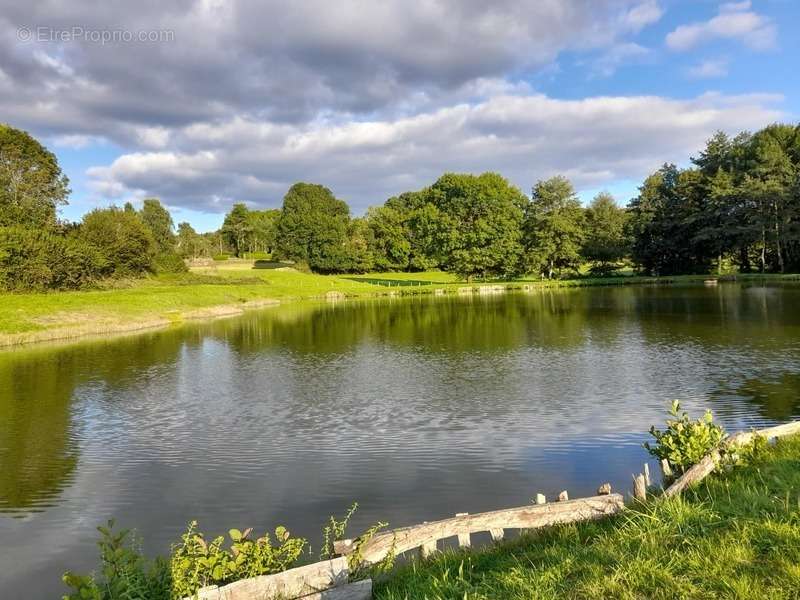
x: 294, y: 583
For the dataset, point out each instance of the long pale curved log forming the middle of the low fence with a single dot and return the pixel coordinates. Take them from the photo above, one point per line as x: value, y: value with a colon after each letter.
x: 524, y: 517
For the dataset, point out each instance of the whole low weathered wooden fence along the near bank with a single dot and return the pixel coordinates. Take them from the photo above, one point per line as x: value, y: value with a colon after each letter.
x: 328, y: 580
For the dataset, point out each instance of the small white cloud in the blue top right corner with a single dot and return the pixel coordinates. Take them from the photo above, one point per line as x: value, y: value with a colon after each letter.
x: 735, y: 21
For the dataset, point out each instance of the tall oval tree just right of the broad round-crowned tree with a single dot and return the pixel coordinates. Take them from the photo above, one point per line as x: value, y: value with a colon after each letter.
x: 554, y: 228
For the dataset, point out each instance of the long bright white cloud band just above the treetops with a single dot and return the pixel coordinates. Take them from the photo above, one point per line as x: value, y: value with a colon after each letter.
x: 526, y: 137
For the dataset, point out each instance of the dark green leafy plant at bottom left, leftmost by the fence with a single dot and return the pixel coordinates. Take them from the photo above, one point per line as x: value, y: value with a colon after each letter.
x: 124, y: 572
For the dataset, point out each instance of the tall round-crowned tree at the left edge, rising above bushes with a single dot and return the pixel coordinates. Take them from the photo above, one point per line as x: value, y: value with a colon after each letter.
x: 32, y: 186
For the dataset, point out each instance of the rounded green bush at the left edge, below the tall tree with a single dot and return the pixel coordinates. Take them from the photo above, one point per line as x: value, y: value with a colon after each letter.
x: 38, y: 260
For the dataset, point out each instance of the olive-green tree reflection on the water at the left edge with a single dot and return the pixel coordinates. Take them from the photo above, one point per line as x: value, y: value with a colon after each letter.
x: 39, y: 443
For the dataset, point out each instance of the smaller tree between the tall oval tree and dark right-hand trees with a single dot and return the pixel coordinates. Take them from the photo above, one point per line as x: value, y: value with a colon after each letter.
x: 605, y: 243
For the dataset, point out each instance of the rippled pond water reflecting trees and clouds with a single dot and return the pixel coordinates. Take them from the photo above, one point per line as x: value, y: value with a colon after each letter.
x: 416, y: 408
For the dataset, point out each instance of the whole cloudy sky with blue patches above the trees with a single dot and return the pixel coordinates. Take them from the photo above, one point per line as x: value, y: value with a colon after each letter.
x: 203, y: 103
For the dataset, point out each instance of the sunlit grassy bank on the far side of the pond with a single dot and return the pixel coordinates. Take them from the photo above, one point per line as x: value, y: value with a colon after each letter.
x: 223, y: 290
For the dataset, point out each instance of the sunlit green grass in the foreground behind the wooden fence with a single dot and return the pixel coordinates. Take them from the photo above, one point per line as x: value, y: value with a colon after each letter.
x: 734, y: 536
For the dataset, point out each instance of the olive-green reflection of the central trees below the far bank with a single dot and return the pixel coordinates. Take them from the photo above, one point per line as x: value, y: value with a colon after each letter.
x: 549, y: 318
